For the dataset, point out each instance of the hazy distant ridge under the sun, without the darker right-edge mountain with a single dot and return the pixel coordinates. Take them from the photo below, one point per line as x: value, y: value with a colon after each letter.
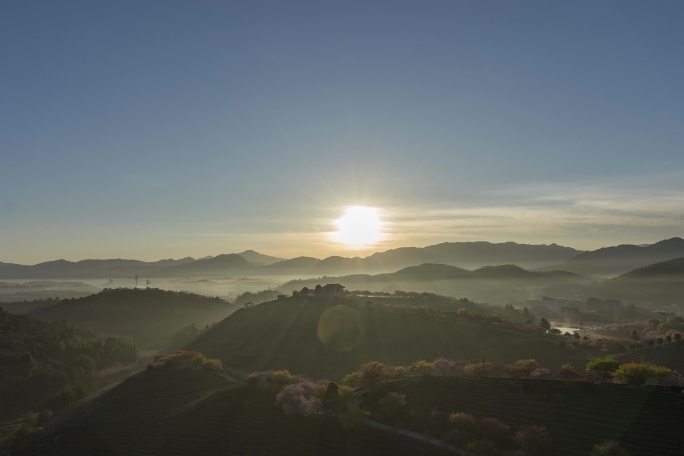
x: 465, y: 254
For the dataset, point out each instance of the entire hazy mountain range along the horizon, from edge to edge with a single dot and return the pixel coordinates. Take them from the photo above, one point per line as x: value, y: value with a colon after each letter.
x: 607, y: 261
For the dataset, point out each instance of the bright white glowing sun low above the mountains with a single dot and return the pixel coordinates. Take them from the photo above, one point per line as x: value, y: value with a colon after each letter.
x: 359, y: 226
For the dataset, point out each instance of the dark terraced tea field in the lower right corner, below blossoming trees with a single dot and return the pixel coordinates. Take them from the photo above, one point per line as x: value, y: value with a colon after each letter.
x: 647, y: 420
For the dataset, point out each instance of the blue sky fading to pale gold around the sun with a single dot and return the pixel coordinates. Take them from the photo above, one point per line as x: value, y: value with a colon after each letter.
x: 169, y: 128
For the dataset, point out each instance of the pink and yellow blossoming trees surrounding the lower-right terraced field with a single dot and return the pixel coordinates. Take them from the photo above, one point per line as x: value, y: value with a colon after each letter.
x: 365, y: 394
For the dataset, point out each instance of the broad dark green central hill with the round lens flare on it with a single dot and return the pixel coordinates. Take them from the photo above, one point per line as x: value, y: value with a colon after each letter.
x: 326, y: 336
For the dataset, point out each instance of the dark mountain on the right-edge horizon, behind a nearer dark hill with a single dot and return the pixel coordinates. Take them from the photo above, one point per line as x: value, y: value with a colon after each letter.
x: 623, y: 258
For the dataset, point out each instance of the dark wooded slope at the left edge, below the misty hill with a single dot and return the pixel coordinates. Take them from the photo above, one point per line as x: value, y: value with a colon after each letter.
x: 47, y: 365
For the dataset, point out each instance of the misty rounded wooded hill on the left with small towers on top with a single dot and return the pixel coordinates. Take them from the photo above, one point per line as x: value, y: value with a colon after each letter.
x: 150, y: 317
